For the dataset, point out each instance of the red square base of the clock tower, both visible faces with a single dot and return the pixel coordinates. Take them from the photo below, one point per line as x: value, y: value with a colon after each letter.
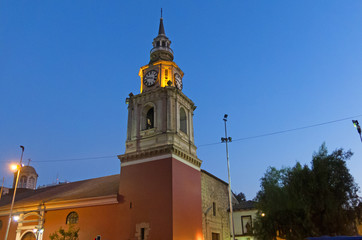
x: 166, y: 197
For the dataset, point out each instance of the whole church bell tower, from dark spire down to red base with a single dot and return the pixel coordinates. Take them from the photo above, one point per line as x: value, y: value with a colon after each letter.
x: 160, y: 181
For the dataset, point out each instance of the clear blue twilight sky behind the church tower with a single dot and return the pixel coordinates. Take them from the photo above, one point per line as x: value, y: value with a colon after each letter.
x: 67, y: 66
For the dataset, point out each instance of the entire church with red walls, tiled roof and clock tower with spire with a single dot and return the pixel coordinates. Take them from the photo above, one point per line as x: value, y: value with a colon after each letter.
x: 161, y: 192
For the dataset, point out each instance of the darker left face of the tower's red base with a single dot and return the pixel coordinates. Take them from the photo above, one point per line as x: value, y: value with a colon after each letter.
x: 145, y: 194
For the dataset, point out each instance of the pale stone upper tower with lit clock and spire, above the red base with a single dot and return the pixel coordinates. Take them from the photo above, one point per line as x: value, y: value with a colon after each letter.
x: 161, y: 115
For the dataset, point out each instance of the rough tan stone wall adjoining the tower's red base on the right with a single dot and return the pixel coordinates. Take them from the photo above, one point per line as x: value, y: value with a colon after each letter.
x: 213, y: 190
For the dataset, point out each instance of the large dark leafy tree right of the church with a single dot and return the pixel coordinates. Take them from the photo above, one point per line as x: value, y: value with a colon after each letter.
x: 307, y: 201
